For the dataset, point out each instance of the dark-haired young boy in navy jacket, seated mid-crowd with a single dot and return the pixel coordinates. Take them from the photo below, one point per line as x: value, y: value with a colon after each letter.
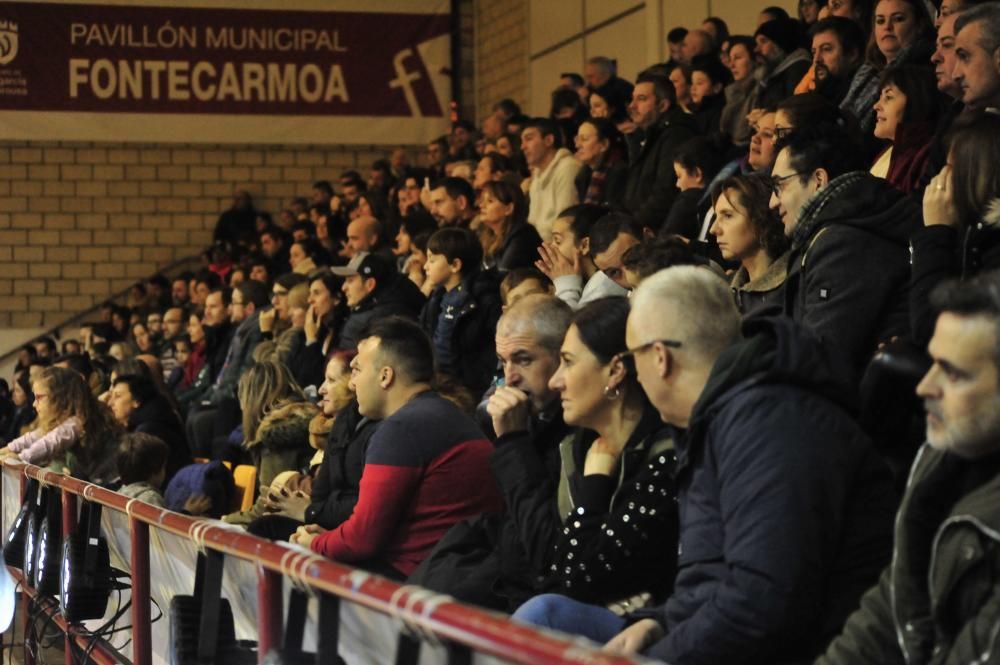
x: 462, y: 313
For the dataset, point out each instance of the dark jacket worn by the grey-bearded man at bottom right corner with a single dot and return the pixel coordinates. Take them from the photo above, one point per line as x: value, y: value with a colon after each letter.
x: 937, y: 602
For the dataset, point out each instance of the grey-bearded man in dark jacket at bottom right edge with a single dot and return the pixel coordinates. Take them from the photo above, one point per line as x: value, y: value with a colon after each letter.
x: 938, y: 600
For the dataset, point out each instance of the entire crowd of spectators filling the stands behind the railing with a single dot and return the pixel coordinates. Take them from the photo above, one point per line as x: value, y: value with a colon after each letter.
x: 623, y: 370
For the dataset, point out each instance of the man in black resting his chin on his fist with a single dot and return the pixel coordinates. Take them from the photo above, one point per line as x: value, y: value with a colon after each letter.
x: 497, y: 562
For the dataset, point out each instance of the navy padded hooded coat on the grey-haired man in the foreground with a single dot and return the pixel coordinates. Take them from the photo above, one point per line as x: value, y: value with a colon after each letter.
x: 785, y: 508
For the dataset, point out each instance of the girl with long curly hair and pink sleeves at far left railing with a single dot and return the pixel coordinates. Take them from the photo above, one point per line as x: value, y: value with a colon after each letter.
x: 76, y: 432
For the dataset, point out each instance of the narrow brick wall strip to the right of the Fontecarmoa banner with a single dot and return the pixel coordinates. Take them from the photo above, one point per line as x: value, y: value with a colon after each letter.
x: 502, y: 57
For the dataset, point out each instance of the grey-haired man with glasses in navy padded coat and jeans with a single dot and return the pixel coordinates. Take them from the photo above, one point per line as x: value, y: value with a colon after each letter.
x: 785, y: 508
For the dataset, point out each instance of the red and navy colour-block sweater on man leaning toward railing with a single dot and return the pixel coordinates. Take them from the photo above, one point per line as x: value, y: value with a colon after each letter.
x: 426, y: 469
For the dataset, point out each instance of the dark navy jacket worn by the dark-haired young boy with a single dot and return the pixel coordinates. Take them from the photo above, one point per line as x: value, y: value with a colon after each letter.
x: 472, y: 343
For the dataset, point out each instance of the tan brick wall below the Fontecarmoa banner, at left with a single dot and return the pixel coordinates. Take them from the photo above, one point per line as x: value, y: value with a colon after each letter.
x: 80, y: 221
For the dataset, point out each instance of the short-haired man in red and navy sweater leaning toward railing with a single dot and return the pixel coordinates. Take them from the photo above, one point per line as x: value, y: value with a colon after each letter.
x: 427, y: 465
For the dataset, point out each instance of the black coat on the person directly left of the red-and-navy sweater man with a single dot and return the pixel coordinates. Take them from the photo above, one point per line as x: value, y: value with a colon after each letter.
x: 335, y: 487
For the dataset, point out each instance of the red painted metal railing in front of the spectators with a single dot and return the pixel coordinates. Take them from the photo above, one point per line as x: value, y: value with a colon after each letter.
x: 461, y: 625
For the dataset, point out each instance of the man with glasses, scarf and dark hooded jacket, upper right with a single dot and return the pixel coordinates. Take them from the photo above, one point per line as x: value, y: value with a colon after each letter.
x: 849, y: 266
